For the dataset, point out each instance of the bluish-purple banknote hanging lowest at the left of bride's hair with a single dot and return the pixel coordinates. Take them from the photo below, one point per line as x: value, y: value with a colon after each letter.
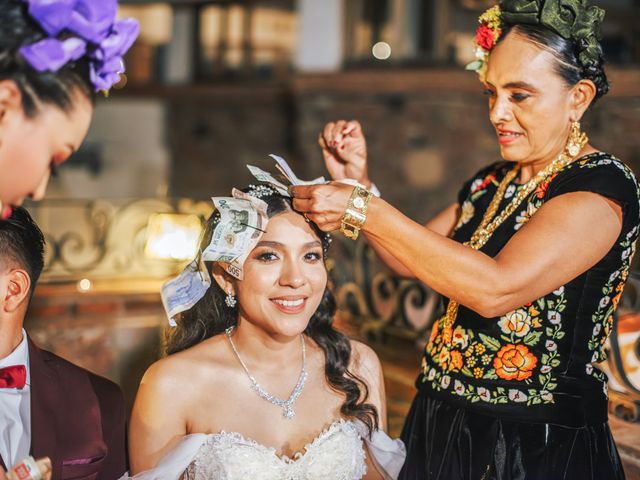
x: 184, y: 291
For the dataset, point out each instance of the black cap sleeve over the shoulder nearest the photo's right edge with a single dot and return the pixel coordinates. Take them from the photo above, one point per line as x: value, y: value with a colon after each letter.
x: 606, y: 176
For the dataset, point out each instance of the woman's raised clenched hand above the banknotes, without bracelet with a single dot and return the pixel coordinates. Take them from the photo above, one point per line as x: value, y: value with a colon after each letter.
x: 344, y: 149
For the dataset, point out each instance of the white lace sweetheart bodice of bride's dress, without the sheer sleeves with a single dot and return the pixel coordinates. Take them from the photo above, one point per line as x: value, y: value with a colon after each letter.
x: 336, y: 454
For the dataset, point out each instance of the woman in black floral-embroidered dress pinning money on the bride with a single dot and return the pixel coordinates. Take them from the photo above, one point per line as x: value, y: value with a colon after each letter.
x: 532, y: 258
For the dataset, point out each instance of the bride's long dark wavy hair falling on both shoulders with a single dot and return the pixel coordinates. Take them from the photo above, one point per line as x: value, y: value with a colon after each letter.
x: 210, y: 316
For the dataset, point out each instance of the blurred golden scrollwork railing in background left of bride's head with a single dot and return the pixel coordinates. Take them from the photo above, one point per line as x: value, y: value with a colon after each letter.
x: 103, y: 238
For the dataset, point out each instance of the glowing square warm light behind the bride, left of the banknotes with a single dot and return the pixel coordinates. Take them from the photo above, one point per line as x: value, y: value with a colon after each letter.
x: 172, y: 236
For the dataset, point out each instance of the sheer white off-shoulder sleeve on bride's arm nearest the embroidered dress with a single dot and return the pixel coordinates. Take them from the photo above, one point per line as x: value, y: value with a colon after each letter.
x: 387, y: 454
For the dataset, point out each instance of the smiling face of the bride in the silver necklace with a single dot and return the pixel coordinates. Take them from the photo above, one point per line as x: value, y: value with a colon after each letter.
x: 284, y: 277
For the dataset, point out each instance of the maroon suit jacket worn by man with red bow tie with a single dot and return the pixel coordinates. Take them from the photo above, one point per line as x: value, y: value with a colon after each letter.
x: 77, y: 419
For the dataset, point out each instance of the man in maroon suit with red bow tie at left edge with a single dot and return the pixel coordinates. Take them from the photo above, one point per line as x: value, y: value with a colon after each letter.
x: 48, y: 406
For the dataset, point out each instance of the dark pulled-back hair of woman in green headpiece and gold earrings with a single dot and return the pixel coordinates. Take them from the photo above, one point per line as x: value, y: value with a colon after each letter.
x: 566, y: 53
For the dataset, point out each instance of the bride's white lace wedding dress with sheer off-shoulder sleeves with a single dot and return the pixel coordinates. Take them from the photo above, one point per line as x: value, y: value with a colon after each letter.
x: 338, y: 453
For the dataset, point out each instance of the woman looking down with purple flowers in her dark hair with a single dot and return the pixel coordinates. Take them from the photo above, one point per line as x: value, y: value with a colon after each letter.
x: 54, y: 56
